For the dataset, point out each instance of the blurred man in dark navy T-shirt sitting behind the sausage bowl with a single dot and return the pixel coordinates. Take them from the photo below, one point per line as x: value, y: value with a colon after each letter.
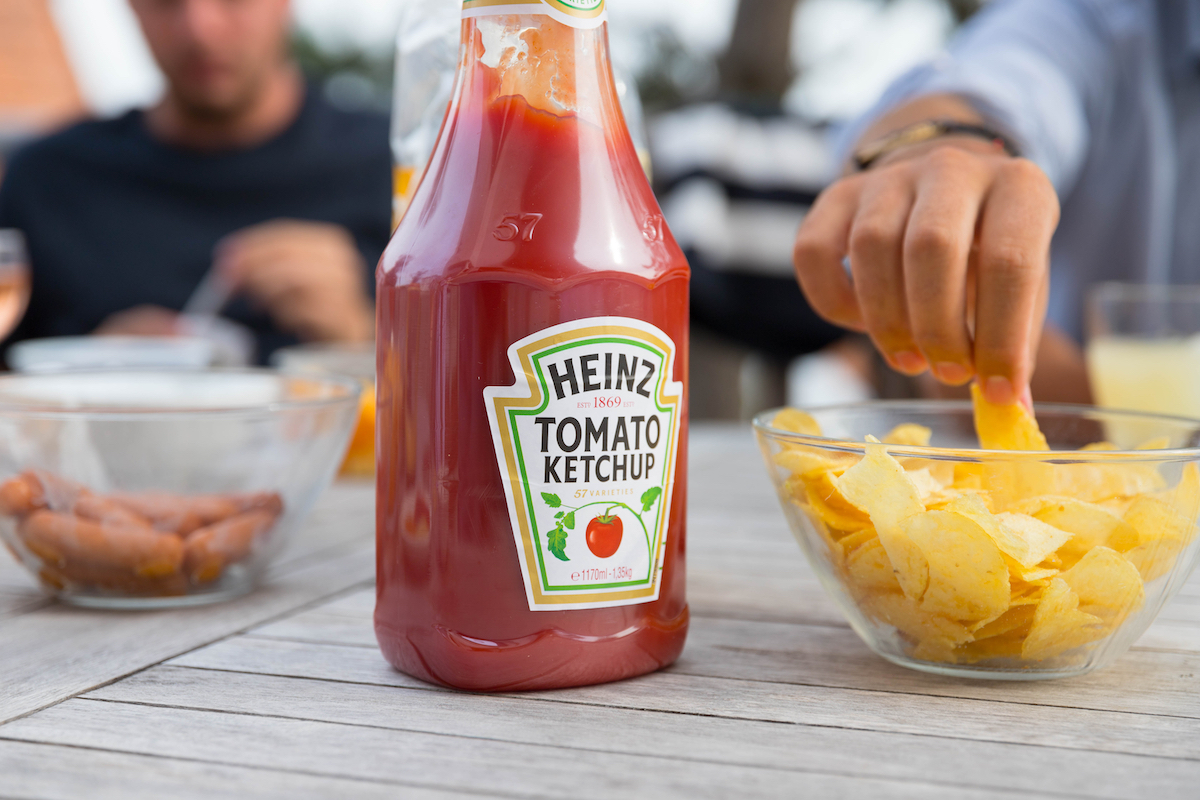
x: 241, y: 167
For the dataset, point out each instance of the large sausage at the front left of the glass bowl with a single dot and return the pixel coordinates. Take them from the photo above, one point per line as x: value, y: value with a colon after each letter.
x: 63, y: 540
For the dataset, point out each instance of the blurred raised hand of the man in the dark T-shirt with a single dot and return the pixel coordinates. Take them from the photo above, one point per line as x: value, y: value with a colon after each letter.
x: 307, y: 275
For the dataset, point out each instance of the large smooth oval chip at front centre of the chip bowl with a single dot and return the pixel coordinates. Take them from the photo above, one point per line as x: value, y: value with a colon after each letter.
x: 968, y: 578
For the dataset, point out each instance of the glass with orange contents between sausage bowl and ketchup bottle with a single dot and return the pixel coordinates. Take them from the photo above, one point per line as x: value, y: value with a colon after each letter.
x: 351, y: 360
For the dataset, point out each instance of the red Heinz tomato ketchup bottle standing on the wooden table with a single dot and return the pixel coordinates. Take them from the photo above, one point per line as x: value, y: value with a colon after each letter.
x: 533, y: 357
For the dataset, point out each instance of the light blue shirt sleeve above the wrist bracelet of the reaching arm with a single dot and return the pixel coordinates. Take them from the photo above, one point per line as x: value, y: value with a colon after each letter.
x: 1039, y: 70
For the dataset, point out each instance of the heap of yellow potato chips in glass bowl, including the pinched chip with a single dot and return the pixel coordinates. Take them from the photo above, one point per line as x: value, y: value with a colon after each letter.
x: 1022, y: 563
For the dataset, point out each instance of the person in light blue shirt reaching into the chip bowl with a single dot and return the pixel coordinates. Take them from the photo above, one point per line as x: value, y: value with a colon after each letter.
x: 1081, y: 164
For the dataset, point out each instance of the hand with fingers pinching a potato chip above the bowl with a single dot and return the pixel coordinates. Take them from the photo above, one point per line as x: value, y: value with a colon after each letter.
x: 950, y: 249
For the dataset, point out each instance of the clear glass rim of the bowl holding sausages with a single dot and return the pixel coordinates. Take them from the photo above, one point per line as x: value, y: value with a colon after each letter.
x: 8, y: 408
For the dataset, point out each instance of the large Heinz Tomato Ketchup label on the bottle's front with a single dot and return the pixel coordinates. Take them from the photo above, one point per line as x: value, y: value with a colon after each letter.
x: 586, y: 441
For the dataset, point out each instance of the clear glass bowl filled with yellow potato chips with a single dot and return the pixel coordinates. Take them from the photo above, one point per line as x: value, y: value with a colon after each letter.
x: 975, y: 540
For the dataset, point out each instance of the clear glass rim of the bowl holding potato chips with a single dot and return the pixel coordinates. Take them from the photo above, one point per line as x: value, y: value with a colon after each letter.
x: 761, y: 424
